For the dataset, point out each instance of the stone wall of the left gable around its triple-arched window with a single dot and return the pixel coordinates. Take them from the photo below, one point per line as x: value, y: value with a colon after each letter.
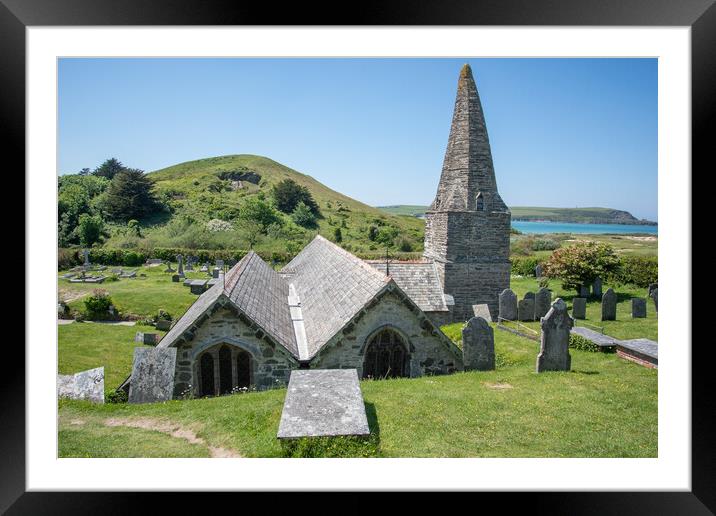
x: 271, y: 363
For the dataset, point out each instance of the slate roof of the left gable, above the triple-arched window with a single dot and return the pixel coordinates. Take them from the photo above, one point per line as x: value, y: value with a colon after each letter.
x: 254, y: 288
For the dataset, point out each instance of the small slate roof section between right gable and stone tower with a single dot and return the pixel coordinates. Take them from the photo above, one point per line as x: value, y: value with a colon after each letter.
x: 419, y: 280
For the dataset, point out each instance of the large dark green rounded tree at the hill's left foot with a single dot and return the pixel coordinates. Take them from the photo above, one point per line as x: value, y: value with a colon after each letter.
x: 130, y: 196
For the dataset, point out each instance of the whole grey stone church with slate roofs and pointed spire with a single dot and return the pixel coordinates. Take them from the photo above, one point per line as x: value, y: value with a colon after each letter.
x: 328, y: 309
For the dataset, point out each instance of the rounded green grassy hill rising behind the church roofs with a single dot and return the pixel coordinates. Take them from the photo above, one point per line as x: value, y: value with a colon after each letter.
x: 215, y: 188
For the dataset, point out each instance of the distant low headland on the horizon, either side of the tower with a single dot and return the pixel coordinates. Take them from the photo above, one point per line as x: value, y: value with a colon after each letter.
x: 579, y: 215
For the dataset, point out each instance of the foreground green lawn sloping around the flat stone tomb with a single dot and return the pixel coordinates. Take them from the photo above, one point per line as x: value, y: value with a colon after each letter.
x: 604, y: 407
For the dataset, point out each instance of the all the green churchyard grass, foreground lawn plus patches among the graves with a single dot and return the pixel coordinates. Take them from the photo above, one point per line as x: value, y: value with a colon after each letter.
x: 604, y: 407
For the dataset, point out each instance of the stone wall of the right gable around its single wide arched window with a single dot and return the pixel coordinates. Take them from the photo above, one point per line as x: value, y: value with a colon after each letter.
x: 430, y: 351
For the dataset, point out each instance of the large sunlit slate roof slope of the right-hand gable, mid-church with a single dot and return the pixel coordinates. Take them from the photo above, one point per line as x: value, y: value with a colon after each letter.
x: 333, y: 286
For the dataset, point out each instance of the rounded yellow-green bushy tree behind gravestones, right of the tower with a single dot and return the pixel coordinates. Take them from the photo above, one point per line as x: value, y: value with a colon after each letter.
x: 581, y: 263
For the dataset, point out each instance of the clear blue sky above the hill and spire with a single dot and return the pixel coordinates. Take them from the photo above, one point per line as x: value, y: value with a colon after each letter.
x: 564, y: 132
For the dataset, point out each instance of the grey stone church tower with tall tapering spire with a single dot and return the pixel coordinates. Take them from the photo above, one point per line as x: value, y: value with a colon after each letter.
x: 467, y: 227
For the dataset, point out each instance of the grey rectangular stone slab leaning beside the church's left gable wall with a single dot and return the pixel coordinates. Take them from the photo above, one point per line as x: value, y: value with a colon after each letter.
x: 152, y: 375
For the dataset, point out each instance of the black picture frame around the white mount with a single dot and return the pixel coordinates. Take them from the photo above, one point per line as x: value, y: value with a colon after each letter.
x: 700, y: 15
